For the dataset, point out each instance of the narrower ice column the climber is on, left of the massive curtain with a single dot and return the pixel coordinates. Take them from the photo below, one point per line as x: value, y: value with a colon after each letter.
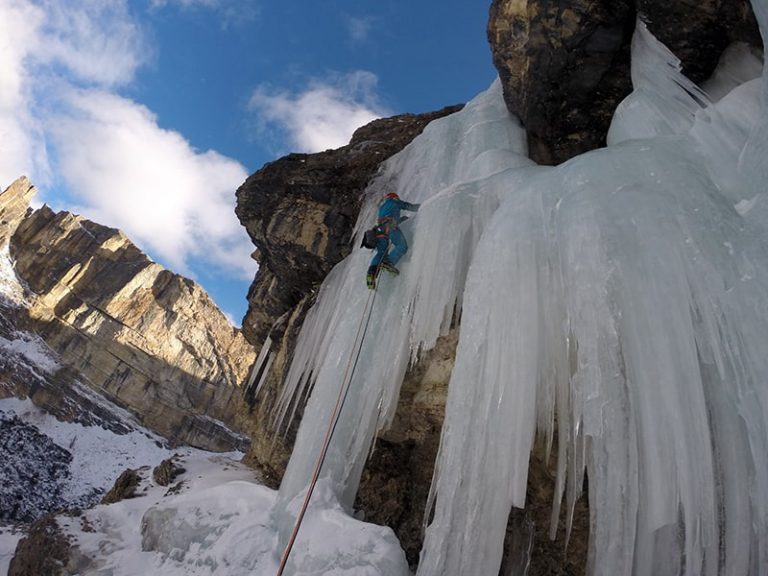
x: 445, y: 170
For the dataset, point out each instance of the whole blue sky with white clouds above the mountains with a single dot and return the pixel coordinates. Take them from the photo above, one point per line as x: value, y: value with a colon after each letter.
x: 146, y: 115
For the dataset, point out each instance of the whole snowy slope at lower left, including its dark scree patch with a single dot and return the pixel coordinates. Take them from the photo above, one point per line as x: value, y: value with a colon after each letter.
x: 215, y: 520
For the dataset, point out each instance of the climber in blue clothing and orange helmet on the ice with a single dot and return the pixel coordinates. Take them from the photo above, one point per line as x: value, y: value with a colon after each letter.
x: 388, y: 230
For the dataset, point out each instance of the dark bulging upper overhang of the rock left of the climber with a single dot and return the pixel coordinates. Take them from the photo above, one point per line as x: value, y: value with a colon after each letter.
x: 300, y: 210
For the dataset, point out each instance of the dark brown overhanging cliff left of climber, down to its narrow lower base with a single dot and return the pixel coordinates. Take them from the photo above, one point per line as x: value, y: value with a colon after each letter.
x: 300, y: 211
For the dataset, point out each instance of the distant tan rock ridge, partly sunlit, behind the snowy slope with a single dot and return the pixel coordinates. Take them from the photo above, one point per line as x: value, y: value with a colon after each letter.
x: 148, y: 339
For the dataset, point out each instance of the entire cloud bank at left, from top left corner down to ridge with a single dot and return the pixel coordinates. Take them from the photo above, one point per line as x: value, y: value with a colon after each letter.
x: 61, y: 63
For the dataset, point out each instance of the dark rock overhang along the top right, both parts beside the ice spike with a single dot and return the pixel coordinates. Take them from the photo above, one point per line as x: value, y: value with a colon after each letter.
x: 565, y: 65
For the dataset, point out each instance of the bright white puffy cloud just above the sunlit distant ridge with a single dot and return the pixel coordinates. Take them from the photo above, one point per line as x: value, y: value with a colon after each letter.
x: 171, y: 199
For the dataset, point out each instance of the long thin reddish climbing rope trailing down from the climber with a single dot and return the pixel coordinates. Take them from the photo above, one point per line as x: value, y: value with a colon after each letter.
x: 340, y: 399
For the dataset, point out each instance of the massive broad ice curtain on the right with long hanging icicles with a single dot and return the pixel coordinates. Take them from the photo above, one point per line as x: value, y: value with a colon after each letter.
x: 627, y: 264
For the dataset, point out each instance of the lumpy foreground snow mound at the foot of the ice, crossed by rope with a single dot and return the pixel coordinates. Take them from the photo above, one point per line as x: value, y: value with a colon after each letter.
x: 219, y: 523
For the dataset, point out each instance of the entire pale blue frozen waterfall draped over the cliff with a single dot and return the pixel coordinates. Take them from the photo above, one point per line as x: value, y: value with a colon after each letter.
x: 622, y: 295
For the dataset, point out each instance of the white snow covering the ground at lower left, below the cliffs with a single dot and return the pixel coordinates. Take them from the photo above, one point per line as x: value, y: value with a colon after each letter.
x: 218, y: 523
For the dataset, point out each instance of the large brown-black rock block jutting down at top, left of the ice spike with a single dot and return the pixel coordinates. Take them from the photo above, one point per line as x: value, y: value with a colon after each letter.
x: 564, y: 67
